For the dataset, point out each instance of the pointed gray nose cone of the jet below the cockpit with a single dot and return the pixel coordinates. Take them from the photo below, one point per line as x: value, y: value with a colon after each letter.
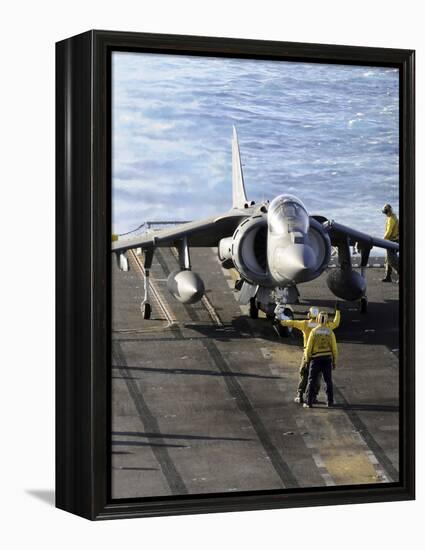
x: 296, y: 262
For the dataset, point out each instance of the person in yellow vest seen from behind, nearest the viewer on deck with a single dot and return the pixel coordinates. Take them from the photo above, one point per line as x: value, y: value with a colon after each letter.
x: 321, y: 353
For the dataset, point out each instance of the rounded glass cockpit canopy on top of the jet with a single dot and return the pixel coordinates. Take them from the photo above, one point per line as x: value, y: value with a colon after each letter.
x: 287, y: 214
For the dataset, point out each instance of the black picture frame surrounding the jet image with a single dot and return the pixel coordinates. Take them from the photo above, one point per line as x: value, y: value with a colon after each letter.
x: 83, y: 225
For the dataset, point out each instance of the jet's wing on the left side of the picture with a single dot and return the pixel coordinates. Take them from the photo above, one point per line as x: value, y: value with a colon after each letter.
x: 206, y: 232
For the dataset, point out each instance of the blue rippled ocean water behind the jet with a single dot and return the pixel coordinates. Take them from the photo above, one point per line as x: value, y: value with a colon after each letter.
x: 326, y: 133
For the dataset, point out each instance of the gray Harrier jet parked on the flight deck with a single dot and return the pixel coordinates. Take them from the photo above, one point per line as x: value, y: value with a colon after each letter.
x: 274, y: 246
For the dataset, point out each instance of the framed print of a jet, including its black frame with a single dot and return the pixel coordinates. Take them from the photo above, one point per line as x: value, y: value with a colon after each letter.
x: 235, y: 274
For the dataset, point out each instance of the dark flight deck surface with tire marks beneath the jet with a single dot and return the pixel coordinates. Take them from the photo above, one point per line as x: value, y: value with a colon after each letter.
x: 202, y: 395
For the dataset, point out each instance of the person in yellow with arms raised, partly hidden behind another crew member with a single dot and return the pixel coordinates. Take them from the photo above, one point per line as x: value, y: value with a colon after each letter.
x: 306, y: 326
